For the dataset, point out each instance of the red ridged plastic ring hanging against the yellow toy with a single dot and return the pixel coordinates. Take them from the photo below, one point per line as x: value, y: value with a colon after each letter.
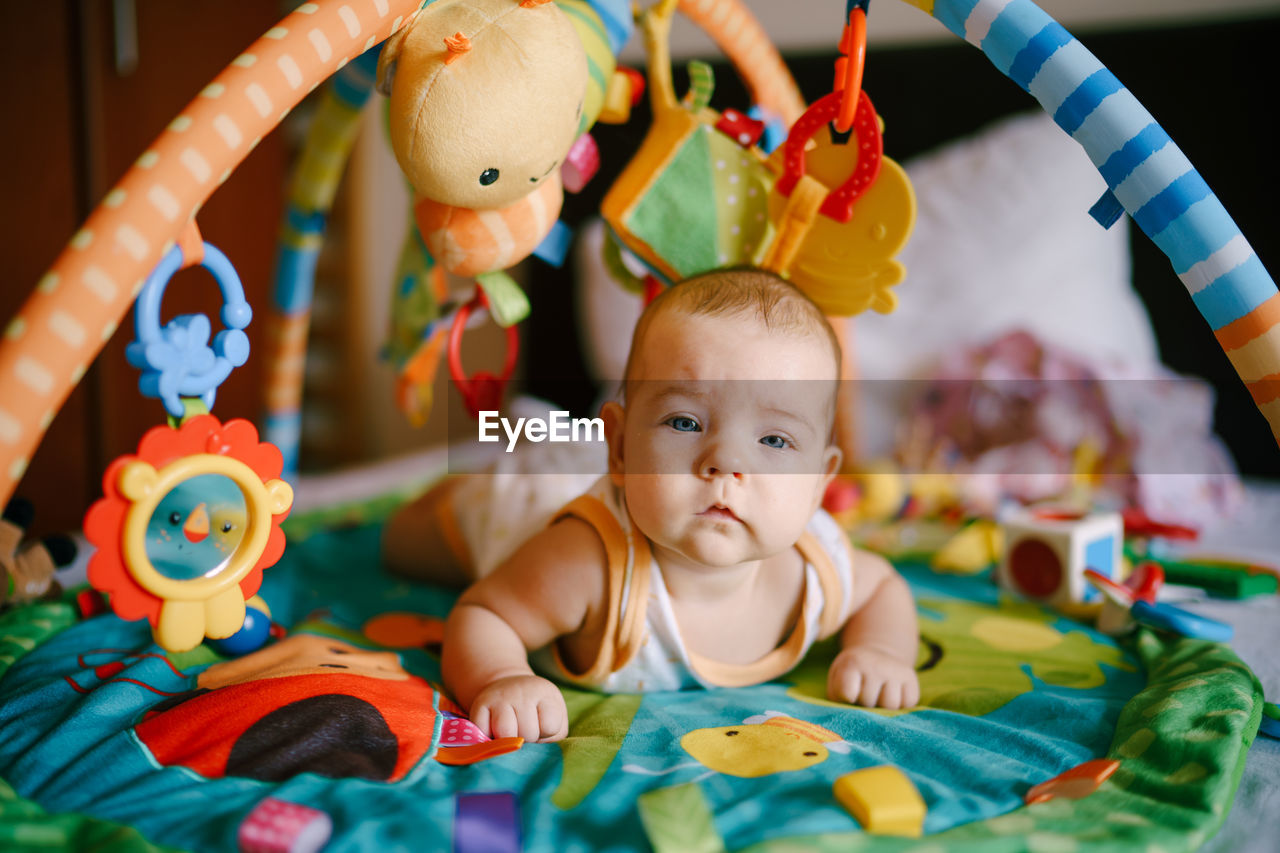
x: 839, y: 204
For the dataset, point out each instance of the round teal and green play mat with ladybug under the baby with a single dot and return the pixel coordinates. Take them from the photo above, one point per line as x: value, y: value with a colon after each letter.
x: 102, y: 731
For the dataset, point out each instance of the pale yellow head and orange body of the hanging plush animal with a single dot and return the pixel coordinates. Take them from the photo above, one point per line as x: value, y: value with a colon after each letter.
x: 487, y: 97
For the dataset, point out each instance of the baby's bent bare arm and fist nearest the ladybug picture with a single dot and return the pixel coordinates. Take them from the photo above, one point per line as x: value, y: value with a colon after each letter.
x: 547, y: 590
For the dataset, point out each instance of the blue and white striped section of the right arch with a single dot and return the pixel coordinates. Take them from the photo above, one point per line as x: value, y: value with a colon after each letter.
x: 1148, y: 174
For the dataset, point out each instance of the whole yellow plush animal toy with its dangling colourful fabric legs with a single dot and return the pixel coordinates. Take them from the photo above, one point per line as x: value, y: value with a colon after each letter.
x: 491, y: 102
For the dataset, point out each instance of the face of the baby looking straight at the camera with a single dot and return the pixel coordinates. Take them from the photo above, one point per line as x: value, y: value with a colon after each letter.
x: 723, y: 449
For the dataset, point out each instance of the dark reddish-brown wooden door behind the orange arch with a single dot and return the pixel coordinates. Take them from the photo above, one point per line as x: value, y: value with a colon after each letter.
x: 85, y: 110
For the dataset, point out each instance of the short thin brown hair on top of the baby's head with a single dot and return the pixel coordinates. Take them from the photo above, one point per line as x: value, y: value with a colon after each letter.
x: 737, y: 291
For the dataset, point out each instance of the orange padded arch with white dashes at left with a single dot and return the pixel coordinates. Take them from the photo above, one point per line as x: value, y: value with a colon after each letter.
x: 76, y: 308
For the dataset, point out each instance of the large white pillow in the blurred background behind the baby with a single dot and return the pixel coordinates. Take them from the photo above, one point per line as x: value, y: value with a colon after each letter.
x: 1003, y: 240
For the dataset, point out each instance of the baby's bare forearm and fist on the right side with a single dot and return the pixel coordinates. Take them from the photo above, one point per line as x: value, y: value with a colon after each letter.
x: 877, y: 663
